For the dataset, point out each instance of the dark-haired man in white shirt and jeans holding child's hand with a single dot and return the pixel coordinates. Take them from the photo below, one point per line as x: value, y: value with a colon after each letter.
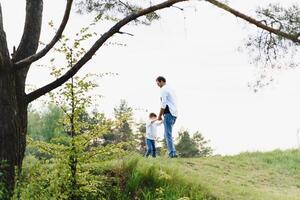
x: 169, y: 111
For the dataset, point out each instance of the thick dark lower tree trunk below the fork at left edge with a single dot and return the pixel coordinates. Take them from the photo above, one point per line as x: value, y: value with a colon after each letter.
x: 13, y: 121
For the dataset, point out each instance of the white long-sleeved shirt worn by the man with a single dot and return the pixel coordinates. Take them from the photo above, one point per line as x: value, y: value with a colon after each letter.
x: 168, y: 97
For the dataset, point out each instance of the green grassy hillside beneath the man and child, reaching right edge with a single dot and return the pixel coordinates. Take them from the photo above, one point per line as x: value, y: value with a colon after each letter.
x: 248, y: 176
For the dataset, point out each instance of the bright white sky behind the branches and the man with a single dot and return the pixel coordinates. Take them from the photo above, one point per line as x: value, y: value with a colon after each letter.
x: 196, y: 50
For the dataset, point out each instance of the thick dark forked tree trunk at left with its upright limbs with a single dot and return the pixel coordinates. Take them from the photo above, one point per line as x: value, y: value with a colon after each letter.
x: 13, y: 100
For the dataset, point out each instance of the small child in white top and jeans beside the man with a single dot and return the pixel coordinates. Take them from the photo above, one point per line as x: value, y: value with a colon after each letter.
x: 151, y: 134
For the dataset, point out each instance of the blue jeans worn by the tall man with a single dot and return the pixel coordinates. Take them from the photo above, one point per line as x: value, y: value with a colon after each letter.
x: 169, y: 121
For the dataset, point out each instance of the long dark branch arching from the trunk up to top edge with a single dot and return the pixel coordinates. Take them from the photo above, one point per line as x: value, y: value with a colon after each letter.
x: 113, y: 30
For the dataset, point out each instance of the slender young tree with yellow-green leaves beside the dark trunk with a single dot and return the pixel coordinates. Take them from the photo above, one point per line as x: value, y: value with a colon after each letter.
x: 74, y: 99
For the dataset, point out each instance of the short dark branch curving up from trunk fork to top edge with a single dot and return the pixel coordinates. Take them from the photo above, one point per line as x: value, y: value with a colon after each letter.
x: 48, y: 47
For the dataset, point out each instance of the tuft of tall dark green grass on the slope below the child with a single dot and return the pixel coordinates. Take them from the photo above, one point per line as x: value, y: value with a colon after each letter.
x: 141, y: 178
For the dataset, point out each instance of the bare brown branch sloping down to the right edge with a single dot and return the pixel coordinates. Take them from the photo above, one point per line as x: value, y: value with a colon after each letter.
x: 255, y: 22
